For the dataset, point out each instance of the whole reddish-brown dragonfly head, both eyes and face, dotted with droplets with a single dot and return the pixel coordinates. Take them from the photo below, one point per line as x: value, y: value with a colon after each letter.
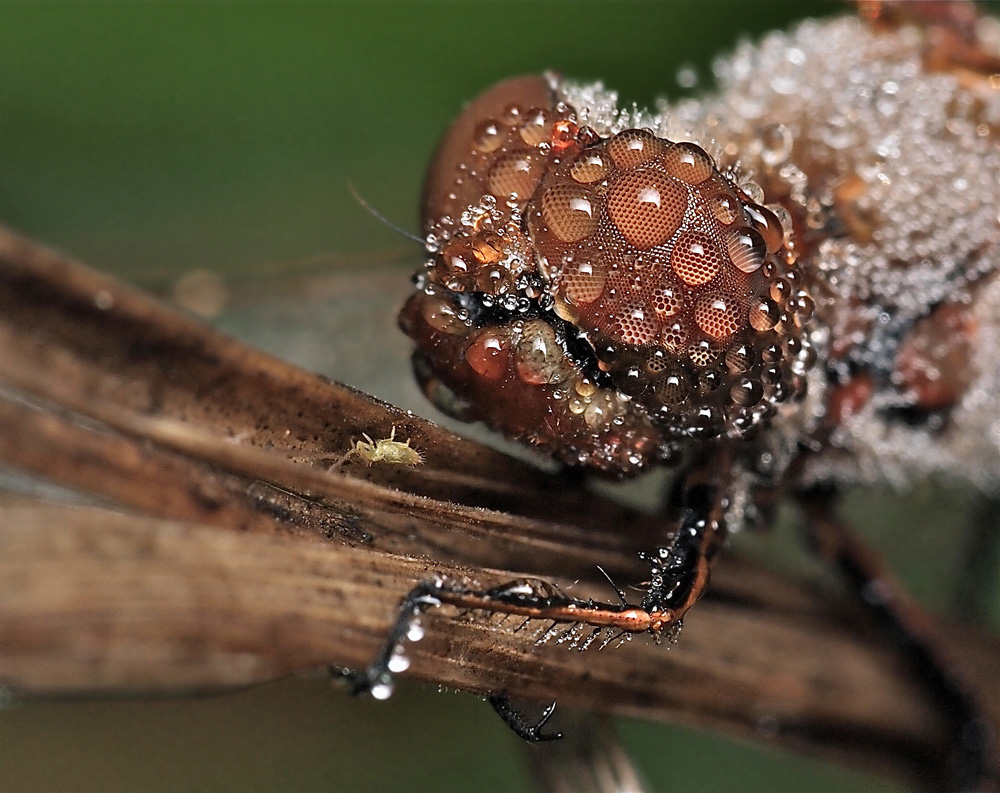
x: 609, y: 298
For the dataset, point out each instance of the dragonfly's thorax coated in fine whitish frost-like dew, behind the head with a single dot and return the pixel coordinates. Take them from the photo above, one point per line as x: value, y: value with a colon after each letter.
x: 893, y: 176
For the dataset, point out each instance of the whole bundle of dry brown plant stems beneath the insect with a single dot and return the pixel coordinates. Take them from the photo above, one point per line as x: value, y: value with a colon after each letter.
x: 118, y: 396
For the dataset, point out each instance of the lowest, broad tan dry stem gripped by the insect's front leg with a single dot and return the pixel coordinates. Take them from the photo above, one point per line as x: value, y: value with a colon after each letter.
x: 95, y: 602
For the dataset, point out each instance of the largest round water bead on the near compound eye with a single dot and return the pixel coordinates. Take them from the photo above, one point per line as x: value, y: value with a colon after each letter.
x: 647, y: 207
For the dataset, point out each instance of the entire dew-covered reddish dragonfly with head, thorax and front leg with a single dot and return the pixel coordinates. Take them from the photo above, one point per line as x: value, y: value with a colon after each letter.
x: 789, y: 285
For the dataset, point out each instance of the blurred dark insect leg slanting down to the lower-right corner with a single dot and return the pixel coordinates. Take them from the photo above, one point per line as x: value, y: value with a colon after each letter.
x: 913, y: 629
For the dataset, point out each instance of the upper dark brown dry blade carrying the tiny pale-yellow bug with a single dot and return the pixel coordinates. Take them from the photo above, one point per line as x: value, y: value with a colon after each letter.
x: 68, y: 333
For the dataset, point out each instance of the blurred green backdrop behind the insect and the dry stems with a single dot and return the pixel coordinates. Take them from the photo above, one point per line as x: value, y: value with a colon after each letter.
x: 153, y: 140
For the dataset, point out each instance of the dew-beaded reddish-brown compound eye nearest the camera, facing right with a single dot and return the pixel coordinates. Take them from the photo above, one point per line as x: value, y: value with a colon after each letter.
x: 662, y: 262
